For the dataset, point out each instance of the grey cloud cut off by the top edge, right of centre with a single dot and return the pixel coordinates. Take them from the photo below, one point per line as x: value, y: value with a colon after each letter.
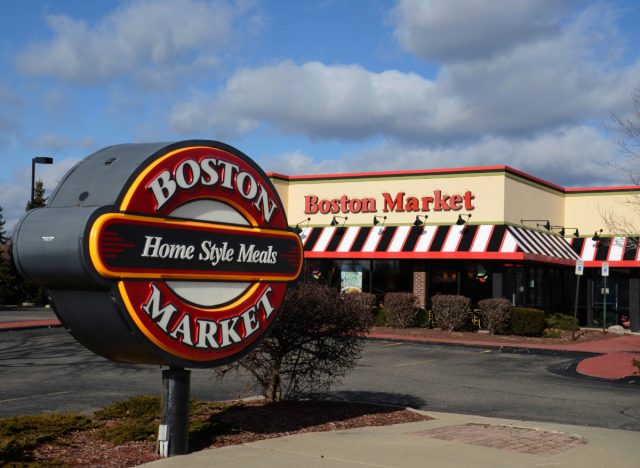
x: 471, y: 29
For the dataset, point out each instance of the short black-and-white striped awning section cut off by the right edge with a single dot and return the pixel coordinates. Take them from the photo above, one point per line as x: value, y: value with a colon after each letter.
x: 617, y: 251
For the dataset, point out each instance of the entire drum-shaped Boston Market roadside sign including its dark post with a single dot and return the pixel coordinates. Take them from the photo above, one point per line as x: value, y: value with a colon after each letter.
x: 172, y: 254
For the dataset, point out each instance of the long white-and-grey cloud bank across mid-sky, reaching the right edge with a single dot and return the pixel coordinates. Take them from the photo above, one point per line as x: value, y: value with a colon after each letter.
x: 530, y: 90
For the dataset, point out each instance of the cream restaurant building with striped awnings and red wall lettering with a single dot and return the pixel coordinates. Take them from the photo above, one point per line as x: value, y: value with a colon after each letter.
x: 480, y: 232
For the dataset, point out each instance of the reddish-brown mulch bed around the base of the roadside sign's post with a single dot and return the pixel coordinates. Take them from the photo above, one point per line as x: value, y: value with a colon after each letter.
x: 237, y: 424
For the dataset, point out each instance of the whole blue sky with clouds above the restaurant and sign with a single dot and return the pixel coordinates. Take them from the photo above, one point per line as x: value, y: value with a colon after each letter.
x: 324, y: 86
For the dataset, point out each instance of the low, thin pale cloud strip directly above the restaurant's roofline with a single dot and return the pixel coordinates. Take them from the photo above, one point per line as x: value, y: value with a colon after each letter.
x: 584, y: 154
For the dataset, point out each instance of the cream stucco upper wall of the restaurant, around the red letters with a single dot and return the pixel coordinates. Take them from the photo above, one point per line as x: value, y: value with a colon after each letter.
x: 500, y: 196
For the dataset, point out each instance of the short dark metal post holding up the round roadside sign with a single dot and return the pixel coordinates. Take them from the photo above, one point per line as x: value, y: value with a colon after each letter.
x: 173, y: 434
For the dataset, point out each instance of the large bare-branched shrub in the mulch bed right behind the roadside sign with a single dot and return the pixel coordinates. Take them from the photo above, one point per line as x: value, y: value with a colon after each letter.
x: 317, y: 339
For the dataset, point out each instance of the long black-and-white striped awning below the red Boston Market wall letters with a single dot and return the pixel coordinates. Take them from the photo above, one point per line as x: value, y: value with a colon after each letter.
x: 474, y: 242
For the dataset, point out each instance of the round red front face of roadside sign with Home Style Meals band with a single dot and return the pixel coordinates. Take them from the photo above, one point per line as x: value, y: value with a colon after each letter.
x: 199, y: 252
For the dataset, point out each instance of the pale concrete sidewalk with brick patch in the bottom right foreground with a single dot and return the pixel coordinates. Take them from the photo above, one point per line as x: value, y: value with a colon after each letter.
x: 449, y: 440
